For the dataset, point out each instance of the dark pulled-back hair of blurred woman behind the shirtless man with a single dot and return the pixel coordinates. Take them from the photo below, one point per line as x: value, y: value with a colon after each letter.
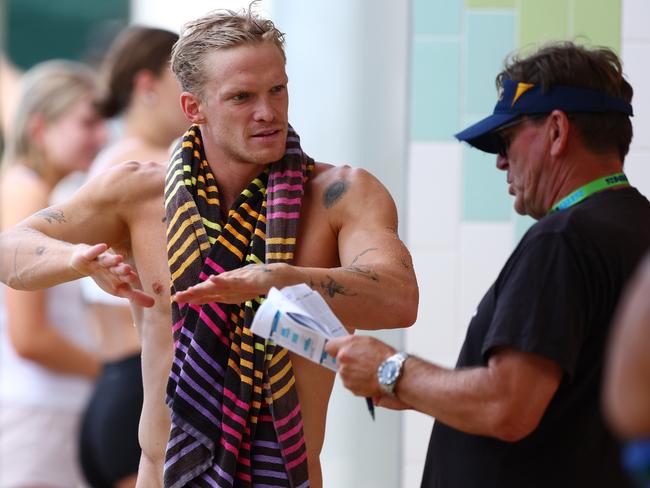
x: 135, y: 49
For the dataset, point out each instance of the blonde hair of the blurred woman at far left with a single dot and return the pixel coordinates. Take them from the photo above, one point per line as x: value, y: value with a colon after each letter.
x: 47, y: 90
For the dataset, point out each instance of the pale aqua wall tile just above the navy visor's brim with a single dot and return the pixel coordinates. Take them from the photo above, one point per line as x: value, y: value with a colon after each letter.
x: 490, y: 38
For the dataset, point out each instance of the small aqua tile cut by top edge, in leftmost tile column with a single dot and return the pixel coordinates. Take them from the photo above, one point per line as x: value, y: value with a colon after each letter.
x: 437, y: 16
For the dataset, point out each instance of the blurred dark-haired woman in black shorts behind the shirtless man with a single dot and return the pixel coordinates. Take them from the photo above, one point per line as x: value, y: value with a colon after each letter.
x: 141, y: 91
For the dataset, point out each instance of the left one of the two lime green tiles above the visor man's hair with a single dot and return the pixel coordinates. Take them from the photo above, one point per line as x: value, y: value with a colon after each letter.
x: 542, y: 20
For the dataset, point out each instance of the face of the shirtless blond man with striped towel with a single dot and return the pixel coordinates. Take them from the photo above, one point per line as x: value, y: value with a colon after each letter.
x: 244, y: 105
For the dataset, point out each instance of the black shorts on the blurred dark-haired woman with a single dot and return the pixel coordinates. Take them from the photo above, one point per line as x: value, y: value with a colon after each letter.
x: 109, y: 448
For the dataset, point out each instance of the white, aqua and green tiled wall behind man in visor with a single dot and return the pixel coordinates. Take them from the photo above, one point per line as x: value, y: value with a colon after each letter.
x: 461, y: 226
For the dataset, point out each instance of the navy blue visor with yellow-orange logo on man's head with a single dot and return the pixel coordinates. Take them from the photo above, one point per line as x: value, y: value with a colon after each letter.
x: 518, y: 98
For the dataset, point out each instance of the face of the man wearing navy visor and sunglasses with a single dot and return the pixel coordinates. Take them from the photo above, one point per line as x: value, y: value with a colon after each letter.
x: 524, y: 160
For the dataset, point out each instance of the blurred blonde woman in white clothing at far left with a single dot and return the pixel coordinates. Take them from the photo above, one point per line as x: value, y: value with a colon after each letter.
x: 46, y: 369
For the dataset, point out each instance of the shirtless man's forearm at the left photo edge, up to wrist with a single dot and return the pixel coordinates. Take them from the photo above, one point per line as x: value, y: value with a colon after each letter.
x: 30, y: 260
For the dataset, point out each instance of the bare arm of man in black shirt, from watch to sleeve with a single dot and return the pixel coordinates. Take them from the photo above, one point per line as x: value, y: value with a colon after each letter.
x: 505, y: 399
